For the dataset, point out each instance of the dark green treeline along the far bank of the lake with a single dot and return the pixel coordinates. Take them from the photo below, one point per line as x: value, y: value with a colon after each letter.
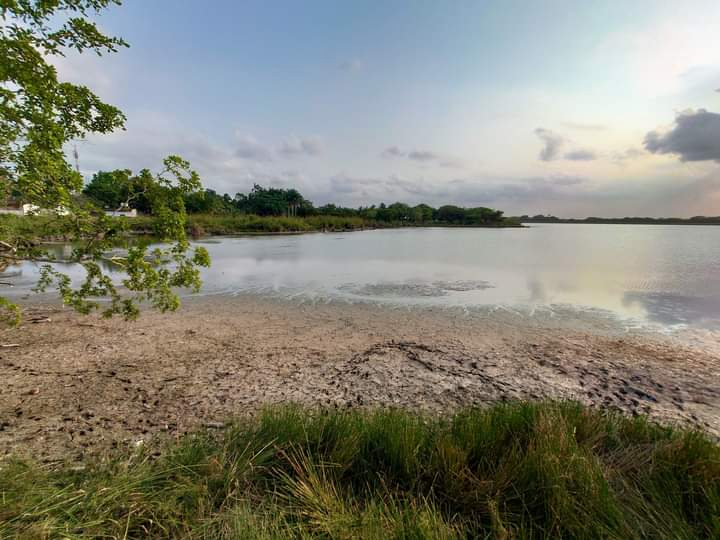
x: 289, y: 203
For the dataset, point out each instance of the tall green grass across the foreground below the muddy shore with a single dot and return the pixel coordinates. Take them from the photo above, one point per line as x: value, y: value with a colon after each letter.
x: 511, y: 471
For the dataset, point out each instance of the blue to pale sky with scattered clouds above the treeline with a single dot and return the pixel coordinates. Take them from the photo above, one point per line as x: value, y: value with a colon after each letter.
x: 596, y: 108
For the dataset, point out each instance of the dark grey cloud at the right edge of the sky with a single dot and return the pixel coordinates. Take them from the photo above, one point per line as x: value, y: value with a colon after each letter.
x: 694, y: 137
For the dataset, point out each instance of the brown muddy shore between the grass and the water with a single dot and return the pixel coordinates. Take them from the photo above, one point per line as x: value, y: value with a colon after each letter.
x: 73, y: 385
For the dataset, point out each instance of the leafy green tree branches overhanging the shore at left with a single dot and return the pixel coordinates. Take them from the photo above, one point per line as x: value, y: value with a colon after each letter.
x: 39, y: 115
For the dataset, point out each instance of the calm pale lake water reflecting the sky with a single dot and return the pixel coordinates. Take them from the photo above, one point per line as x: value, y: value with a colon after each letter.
x: 664, y: 275
